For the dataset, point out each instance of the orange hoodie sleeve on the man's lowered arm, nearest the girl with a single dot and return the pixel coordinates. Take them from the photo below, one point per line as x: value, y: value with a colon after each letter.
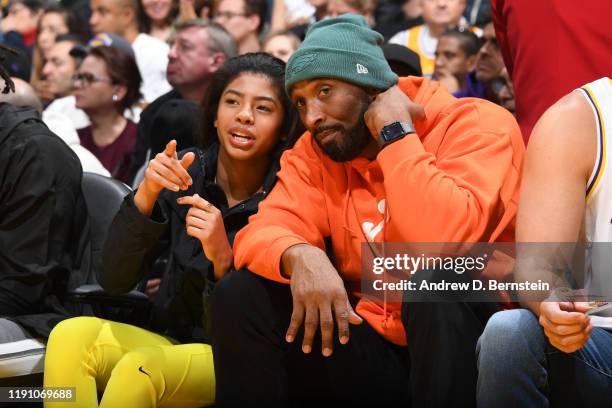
x: 292, y: 214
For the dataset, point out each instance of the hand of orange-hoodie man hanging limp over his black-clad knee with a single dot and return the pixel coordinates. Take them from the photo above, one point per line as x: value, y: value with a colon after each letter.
x: 318, y: 295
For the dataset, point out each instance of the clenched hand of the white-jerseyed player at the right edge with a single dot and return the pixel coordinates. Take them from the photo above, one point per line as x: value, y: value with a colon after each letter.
x: 565, y: 324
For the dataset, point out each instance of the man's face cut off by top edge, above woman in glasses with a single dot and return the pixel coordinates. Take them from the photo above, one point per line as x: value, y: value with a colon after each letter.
x: 109, y: 16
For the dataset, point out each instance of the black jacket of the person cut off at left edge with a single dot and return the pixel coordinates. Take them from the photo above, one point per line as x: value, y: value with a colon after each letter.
x: 43, y: 222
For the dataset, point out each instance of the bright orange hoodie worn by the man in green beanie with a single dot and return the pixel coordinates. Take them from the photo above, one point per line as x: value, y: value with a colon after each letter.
x: 458, y: 181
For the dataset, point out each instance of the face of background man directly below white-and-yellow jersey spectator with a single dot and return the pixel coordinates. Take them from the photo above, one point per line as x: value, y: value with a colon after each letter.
x: 451, y: 59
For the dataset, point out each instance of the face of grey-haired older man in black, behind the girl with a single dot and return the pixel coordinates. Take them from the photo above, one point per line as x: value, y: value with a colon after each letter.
x: 189, y: 60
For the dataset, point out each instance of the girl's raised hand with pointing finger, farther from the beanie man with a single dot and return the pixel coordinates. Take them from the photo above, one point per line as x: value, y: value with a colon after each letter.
x: 165, y: 170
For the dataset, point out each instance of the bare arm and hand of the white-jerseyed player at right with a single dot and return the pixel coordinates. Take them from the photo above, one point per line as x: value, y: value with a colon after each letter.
x: 559, y: 161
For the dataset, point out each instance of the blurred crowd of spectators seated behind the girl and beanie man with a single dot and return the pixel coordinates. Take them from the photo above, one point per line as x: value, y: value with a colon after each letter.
x: 117, y: 106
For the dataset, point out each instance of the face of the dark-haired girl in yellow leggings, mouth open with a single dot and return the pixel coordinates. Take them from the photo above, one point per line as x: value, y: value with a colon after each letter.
x: 249, y: 117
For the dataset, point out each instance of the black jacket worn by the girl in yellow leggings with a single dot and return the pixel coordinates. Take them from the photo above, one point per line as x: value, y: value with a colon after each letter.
x: 134, y: 242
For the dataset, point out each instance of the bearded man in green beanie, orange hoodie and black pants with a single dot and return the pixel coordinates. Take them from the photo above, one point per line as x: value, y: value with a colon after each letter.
x: 382, y: 161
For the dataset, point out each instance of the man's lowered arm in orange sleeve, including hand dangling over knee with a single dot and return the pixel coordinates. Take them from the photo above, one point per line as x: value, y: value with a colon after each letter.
x: 288, y: 232
